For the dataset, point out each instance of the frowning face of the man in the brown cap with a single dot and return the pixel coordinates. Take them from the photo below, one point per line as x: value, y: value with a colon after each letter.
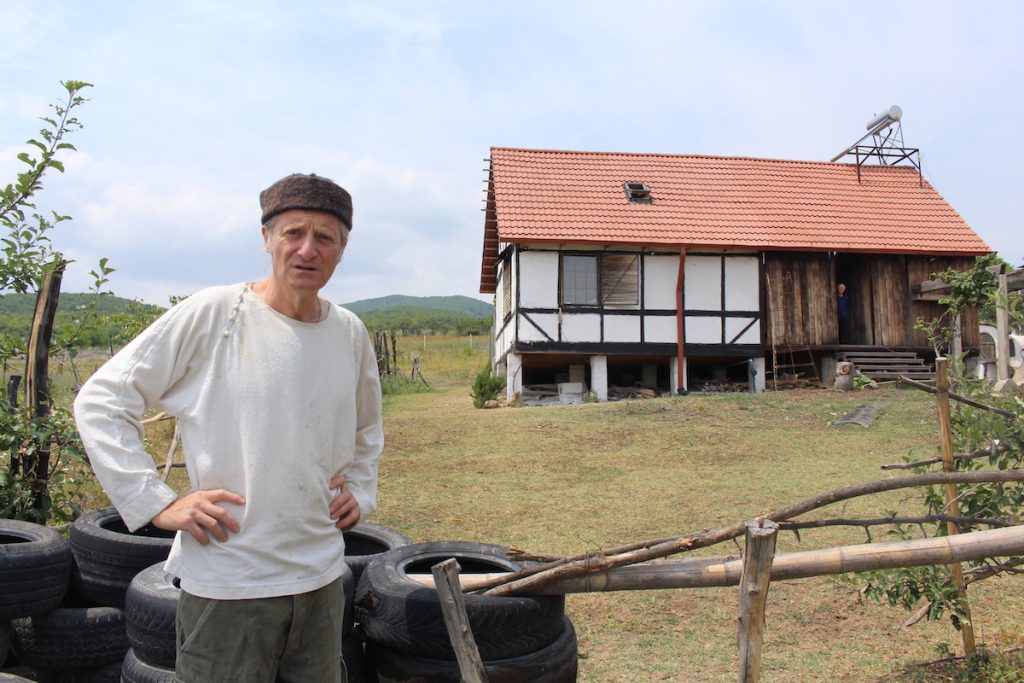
x: 306, y: 247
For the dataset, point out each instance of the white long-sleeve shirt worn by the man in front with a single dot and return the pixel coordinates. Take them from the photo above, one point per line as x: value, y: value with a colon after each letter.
x: 269, y: 408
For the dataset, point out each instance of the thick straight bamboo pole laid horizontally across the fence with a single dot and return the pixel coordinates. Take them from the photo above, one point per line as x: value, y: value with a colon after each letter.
x: 723, y: 572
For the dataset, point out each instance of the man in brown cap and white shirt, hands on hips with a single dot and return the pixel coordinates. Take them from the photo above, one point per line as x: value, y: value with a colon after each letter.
x: 278, y: 399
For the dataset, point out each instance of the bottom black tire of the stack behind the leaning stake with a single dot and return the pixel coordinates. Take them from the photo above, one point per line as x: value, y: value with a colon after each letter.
x: 554, y: 664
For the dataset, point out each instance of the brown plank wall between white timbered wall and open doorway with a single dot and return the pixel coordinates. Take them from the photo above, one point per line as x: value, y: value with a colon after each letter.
x: 801, y: 300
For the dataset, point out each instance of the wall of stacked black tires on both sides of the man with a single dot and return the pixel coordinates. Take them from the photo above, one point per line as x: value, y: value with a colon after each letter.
x: 100, y: 609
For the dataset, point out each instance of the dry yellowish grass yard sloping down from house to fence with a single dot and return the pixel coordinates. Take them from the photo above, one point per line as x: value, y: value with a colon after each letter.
x: 573, y: 479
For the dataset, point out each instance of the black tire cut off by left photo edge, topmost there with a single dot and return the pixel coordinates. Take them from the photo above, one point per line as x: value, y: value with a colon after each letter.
x: 35, y: 566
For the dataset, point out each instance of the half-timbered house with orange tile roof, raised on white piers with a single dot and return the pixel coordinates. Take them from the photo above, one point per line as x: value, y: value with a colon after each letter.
x: 627, y: 270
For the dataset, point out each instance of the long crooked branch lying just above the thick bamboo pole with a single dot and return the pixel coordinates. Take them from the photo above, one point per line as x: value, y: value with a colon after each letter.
x: 529, y: 581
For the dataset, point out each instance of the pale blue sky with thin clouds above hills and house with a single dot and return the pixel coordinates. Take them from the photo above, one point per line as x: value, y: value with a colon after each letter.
x: 200, y: 105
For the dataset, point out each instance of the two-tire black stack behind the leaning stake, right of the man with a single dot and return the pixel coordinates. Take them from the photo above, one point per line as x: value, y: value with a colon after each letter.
x: 521, y: 639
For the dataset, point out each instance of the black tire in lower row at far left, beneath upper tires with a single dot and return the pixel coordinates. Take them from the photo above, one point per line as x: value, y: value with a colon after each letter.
x: 72, y: 638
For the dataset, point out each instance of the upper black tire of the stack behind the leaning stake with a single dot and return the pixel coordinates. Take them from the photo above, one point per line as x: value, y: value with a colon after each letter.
x: 401, y: 615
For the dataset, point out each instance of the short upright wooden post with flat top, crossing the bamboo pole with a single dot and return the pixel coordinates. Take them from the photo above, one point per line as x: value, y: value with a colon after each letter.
x: 754, y: 596
